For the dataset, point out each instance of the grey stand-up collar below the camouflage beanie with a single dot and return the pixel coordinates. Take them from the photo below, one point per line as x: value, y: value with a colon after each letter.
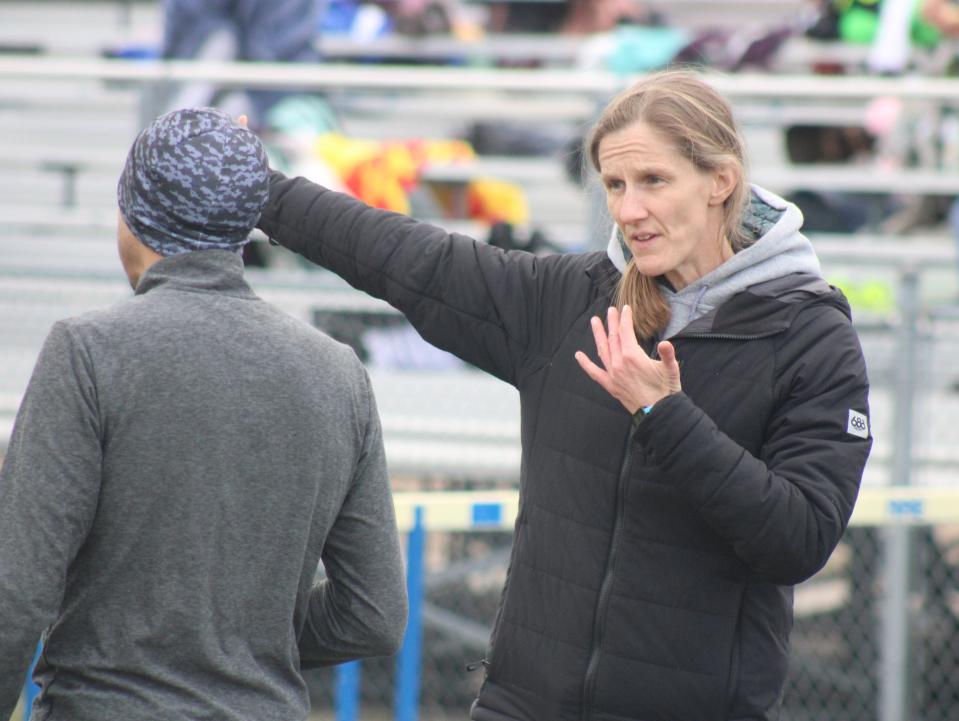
x: 200, y: 271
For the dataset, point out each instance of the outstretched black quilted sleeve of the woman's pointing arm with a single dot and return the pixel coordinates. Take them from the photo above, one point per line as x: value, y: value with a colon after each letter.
x: 490, y: 307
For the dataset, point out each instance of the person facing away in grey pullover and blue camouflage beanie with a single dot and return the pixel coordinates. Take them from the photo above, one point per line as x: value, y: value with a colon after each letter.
x: 179, y: 466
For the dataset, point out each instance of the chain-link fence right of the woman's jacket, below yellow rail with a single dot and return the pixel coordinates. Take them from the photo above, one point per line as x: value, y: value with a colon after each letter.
x: 837, y: 647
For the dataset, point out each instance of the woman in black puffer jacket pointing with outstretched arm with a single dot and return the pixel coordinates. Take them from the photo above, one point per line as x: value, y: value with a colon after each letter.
x: 686, y: 463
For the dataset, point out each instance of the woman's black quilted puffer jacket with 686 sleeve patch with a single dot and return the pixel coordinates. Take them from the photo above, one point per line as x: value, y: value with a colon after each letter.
x: 652, y: 568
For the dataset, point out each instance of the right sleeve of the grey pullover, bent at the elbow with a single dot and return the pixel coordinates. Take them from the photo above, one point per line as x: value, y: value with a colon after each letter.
x: 360, y: 608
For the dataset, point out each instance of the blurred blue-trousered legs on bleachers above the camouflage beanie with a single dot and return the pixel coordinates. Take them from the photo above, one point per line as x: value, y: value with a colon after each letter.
x: 251, y: 30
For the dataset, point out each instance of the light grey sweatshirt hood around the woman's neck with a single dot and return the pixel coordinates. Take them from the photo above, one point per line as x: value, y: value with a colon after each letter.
x: 779, y: 249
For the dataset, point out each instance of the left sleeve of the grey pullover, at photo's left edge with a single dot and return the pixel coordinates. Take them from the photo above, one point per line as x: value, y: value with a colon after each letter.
x: 49, y: 488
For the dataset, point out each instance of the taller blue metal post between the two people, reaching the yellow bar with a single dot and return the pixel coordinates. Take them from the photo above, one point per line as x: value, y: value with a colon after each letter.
x: 408, y: 673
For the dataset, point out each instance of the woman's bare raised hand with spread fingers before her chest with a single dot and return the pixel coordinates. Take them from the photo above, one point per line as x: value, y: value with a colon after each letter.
x: 628, y: 373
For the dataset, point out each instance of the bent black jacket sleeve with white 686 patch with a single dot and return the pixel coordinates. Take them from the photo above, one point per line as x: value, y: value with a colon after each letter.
x: 784, y: 511
